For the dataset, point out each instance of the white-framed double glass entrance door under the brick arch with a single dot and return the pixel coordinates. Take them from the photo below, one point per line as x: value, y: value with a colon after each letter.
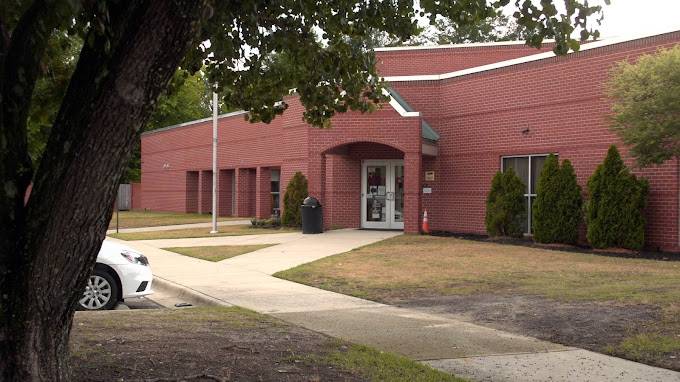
x: 382, y: 194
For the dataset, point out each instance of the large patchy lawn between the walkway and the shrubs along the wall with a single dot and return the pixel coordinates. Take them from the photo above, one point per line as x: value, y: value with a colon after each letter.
x: 625, y: 307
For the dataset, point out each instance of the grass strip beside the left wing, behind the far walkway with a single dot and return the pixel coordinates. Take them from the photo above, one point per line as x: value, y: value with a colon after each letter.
x: 138, y: 218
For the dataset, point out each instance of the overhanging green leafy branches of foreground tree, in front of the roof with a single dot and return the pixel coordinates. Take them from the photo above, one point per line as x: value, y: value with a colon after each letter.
x: 258, y: 51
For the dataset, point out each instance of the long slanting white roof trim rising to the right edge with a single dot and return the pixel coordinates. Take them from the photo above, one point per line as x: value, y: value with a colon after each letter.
x: 517, y: 61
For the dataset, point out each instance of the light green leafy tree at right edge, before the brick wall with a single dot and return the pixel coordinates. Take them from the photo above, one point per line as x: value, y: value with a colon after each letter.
x: 646, y: 108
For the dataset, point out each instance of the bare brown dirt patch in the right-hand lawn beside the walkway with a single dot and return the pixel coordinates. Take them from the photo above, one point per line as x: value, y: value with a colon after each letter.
x: 587, y: 325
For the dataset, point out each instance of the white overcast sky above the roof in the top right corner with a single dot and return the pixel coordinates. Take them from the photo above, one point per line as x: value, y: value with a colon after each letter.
x: 640, y: 17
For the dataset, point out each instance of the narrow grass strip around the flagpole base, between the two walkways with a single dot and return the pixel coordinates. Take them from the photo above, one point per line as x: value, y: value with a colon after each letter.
x: 233, y: 230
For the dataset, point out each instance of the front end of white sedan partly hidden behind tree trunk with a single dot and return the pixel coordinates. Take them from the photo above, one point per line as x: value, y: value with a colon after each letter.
x: 120, y: 273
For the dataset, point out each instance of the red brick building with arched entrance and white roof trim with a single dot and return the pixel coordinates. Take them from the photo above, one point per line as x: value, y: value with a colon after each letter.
x: 457, y: 115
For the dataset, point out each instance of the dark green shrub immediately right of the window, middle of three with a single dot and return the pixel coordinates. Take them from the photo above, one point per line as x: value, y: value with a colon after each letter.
x: 557, y: 207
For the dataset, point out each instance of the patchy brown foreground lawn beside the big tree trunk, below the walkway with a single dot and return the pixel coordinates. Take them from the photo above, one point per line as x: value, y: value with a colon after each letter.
x: 163, y: 344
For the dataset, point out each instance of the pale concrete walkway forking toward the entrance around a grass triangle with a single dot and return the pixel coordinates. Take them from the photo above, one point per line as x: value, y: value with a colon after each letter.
x: 465, y: 349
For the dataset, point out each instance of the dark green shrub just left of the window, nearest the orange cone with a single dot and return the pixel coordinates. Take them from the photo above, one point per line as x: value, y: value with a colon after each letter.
x: 505, y: 205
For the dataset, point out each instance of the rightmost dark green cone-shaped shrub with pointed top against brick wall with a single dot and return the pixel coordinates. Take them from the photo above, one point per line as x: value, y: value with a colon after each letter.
x: 615, y: 204
